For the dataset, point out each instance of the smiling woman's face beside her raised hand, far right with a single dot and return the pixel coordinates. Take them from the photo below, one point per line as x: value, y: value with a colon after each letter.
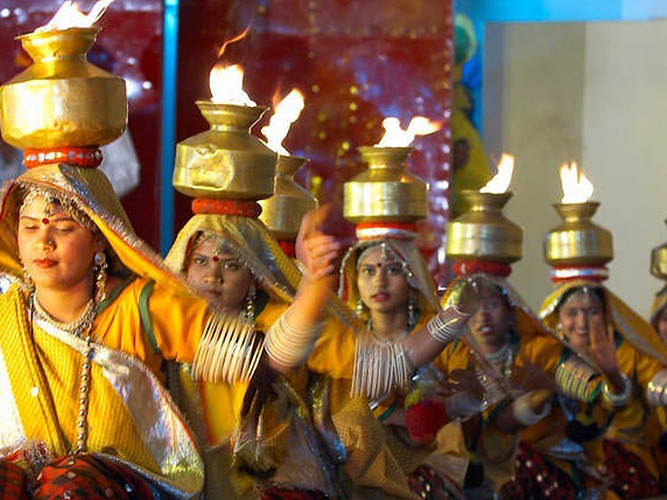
x: 575, y: 316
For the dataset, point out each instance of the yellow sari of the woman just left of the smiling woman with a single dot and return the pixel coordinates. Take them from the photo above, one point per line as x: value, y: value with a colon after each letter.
x: 530, y: 345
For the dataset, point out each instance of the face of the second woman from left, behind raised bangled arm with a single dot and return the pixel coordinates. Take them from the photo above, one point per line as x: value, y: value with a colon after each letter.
x: 218, y: 276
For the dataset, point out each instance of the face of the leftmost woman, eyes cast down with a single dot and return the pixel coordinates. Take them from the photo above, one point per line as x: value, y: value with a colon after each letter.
x: 55, y: 249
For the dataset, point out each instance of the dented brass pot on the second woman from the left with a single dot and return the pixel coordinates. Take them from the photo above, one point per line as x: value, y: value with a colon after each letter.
x: 226, y: 161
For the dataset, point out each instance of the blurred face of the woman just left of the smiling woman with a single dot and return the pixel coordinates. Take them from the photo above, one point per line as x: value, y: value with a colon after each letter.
x: 490, y: 324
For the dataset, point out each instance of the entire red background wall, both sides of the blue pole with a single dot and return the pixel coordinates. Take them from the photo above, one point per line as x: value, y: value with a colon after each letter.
x: 356, y: 61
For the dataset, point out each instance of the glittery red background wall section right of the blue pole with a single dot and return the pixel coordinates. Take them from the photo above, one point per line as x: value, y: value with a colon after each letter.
x: 356, y: 61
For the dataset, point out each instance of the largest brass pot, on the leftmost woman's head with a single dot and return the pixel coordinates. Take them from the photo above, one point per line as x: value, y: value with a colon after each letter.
x: 61, y: 99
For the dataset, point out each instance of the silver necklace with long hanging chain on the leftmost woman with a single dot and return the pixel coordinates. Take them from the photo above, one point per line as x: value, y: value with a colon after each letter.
x: 77, y: 328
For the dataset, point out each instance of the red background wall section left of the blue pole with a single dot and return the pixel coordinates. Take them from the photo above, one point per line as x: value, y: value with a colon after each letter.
x: 129, y: 45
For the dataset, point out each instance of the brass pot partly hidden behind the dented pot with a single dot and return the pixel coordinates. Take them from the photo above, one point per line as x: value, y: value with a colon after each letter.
x: 283, y: 212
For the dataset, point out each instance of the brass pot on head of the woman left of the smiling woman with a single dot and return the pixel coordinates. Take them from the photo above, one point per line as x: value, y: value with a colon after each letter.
x: 483, y: 232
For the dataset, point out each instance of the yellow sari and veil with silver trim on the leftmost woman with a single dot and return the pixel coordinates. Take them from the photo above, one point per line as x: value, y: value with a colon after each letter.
x: 131, y: 417
